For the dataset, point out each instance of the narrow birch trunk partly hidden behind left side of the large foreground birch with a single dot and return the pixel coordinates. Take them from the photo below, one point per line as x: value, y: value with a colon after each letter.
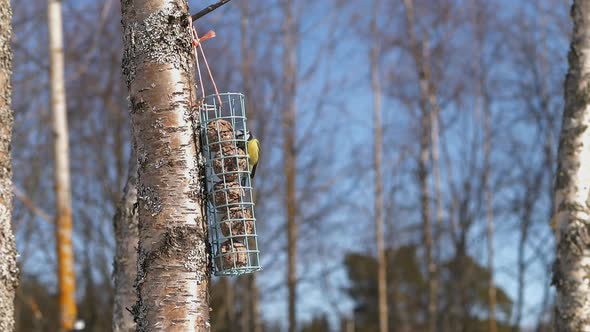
x: 125, y: 265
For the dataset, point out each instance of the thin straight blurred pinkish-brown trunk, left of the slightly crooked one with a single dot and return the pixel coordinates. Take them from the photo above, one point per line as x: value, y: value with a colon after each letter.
x: 378, y: 147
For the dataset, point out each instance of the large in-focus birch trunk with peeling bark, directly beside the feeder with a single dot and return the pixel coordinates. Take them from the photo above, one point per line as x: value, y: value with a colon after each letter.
x: 173, y: 257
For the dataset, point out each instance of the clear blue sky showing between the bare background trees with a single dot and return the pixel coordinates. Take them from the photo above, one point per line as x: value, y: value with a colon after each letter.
x: 348, y: 117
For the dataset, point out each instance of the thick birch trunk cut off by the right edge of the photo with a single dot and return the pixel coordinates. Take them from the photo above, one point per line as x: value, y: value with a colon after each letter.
x: 572, y: 187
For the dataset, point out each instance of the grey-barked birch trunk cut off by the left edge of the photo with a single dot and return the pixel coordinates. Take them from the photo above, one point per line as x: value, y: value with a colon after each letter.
x: 8, y: 268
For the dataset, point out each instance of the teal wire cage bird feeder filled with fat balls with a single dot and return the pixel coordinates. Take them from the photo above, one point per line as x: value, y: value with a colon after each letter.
x: 230, y: 212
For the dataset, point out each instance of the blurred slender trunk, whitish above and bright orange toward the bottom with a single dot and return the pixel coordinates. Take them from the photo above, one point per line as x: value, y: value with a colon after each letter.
x: 65, y: 254
